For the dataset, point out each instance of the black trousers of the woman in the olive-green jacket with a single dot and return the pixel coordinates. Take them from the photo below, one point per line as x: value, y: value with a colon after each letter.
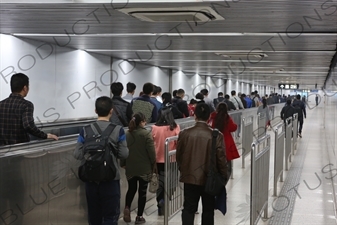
x: 133, y: 186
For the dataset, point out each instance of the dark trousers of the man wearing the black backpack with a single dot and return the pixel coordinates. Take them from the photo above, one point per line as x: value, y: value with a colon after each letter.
x: 103, y: 200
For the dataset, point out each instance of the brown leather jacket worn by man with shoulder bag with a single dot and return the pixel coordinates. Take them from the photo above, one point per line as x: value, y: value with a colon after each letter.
x: 194, y: 148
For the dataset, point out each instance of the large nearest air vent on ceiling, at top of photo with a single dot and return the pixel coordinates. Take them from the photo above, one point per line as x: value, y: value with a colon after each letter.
x: 179, y: 14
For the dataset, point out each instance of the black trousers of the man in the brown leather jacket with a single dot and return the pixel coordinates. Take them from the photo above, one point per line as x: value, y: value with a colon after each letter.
x: 192, y: 194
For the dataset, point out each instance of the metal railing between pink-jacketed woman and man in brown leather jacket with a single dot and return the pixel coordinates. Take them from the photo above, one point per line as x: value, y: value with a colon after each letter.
x: 173, y: 189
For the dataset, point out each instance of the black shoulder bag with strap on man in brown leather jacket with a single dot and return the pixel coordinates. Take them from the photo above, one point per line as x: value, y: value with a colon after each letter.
x: 215, y: 182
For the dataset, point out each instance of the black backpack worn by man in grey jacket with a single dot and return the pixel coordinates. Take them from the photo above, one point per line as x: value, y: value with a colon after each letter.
x: 98, y: 151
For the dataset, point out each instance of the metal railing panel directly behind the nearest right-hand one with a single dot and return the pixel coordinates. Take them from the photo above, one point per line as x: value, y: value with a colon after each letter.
x: 279, y: 154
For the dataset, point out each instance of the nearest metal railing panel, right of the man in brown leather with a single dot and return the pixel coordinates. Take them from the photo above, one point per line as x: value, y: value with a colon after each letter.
x: 259, y: 179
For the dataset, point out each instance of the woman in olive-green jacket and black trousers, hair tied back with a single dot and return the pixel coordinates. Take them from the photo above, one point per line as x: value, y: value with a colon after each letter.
x: 139, y: 165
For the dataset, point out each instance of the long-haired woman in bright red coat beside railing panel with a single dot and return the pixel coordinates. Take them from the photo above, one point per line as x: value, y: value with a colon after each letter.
x: 225, y: 124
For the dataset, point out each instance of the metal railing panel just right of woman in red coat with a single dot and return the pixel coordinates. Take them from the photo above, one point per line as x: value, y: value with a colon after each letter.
x: 247, y: 137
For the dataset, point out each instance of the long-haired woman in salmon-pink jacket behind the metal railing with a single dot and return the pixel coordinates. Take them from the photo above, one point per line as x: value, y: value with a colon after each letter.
x: 164, y: 127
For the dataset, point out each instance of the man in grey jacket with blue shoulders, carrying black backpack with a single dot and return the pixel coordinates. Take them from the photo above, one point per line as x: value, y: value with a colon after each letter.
x: 103, y: 198
